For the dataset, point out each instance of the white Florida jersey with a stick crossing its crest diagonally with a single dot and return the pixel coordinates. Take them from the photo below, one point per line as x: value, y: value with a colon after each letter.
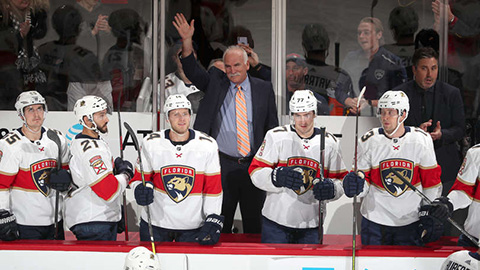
x: 386, y: 199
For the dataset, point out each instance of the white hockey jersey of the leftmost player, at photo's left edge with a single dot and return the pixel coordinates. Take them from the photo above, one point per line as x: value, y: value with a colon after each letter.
x: 24, y: 171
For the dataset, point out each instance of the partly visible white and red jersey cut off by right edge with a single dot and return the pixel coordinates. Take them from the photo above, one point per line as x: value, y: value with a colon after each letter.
x: 466, y: 190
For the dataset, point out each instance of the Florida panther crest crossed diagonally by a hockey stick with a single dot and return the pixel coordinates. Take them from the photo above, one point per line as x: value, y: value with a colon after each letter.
x: 390, y: 181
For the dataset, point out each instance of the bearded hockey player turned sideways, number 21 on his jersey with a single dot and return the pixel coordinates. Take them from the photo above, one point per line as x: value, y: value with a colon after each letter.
x: 93, y: 207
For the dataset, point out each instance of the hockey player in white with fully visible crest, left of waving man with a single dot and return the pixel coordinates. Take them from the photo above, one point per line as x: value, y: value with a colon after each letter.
x: 183, y: 183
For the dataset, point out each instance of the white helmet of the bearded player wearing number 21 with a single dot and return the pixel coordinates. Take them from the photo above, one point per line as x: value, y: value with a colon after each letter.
x: 87, y: 106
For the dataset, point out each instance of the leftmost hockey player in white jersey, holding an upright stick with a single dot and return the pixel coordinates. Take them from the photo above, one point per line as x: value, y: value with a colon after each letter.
x: 27, y: 156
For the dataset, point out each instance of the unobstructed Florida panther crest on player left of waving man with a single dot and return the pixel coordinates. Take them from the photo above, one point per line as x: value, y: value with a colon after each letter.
x: 178, y: 181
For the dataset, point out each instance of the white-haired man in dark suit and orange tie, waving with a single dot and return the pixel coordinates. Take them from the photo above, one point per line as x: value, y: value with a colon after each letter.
x: 217, y: 117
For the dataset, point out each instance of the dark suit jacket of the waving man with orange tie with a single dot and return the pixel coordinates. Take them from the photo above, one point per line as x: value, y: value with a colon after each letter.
x: 215, y: 84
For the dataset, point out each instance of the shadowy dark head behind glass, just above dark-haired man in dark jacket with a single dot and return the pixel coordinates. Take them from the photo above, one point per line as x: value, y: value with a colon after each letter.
x: 403, y: 23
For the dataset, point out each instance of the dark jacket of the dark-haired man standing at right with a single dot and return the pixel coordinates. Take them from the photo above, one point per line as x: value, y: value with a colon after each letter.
x: 448, y: 109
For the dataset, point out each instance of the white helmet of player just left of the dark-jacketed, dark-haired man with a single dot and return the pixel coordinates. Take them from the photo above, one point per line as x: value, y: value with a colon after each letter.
x: 394, y: 99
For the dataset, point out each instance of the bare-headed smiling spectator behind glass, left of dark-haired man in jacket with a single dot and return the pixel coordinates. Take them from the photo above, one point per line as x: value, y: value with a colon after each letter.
x: 373, y: 66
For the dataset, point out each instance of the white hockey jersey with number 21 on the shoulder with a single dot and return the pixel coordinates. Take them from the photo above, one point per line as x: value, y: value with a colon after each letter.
x: 97, y: 196
